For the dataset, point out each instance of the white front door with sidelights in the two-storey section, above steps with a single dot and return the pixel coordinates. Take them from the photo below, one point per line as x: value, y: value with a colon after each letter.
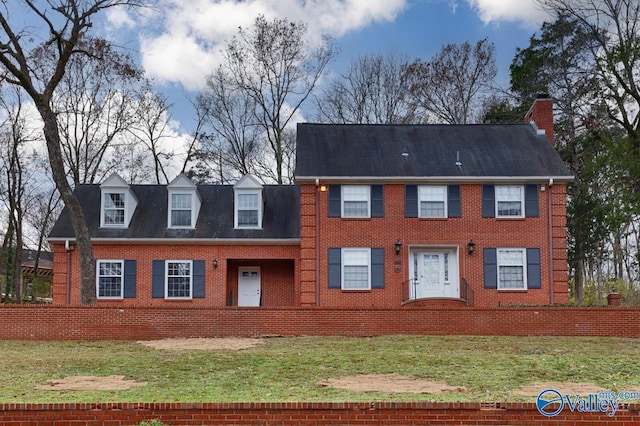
x: 434, y: 273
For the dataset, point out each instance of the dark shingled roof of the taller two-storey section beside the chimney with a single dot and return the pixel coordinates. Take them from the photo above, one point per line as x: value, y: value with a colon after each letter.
x: 485, y: 150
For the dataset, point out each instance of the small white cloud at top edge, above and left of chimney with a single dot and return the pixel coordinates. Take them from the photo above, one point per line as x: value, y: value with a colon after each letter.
x: 526, y: 12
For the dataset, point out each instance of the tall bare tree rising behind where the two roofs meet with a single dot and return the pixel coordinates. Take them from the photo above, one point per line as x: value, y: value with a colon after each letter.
x: 277, y: 67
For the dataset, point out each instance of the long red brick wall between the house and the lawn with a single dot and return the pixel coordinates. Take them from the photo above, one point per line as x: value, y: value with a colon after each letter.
x: 80, y: 322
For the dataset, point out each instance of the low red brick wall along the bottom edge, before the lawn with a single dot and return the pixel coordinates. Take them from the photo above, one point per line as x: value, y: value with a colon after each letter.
x: 302, y: 413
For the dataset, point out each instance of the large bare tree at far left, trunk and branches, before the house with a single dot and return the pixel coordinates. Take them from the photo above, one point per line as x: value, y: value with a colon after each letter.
x: 65, y: 22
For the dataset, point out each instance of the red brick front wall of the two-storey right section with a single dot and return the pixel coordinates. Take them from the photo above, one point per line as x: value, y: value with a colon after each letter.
x: 540, y: 232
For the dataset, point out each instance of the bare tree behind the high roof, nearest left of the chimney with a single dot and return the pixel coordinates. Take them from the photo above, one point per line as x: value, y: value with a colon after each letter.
x: 449, y: 87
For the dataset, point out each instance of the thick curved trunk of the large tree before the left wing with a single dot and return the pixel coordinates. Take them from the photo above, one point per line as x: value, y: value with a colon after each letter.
x: 80, y: 229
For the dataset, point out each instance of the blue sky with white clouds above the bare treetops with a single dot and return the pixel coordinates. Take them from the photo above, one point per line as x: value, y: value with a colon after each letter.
x: 178, y: 42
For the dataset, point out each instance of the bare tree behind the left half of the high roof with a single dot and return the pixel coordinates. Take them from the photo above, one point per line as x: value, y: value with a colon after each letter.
x: 373, y: 91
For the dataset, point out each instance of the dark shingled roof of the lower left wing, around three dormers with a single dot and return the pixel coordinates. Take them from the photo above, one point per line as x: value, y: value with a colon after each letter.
x: 281, y: 214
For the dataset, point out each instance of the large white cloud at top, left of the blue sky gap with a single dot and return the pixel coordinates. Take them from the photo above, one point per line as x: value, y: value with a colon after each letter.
x: 192, y: 34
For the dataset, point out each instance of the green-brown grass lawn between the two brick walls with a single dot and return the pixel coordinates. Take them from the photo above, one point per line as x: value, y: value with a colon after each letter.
x: 288, y: 369
